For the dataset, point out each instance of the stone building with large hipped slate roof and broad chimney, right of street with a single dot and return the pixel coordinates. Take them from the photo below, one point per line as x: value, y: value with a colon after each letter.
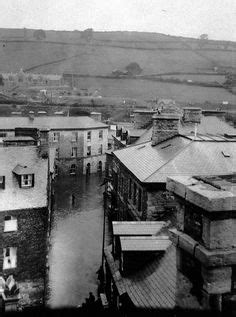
x: 136, y: 175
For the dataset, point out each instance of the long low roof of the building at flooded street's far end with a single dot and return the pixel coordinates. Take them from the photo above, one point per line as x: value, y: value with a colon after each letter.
x: 53, y: 122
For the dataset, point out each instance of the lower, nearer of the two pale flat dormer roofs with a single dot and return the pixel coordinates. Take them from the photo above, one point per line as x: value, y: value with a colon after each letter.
x: 151, y: 243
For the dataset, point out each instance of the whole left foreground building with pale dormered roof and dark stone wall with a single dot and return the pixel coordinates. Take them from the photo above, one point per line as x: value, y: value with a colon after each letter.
x: 25, y: 201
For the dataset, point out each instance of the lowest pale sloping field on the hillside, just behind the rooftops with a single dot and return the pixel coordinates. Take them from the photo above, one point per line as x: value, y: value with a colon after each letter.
x: 145, y: 90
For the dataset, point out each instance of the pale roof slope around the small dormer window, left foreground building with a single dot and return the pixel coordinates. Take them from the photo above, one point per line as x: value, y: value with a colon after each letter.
x: 13, y: 159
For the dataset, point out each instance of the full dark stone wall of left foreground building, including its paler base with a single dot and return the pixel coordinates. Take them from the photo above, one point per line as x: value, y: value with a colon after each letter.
x: 30, y: 239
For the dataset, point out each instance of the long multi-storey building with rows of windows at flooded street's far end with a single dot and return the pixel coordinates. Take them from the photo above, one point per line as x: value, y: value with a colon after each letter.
x: 80, y: 142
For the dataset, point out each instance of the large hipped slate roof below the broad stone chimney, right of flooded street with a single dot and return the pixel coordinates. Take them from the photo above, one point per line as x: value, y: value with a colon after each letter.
x: 179, y: 156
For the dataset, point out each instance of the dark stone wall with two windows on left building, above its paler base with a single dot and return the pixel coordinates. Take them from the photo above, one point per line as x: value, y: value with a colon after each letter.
x: 30, y: 240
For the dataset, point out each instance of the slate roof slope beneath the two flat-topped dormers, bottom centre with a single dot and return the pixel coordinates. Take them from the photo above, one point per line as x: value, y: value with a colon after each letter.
x: 157, y: 286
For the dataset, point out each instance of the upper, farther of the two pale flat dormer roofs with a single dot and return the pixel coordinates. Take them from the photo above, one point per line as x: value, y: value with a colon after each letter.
x: 126, y: 228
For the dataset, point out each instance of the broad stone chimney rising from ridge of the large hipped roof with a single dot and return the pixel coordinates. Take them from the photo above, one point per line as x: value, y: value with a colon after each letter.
x: 165, y: 126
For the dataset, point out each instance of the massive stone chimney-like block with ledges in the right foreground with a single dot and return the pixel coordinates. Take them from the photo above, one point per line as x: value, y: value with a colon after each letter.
x: 205, y: 236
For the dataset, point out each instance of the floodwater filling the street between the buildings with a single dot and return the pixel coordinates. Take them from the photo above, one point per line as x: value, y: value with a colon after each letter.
x: 76, y: 240
